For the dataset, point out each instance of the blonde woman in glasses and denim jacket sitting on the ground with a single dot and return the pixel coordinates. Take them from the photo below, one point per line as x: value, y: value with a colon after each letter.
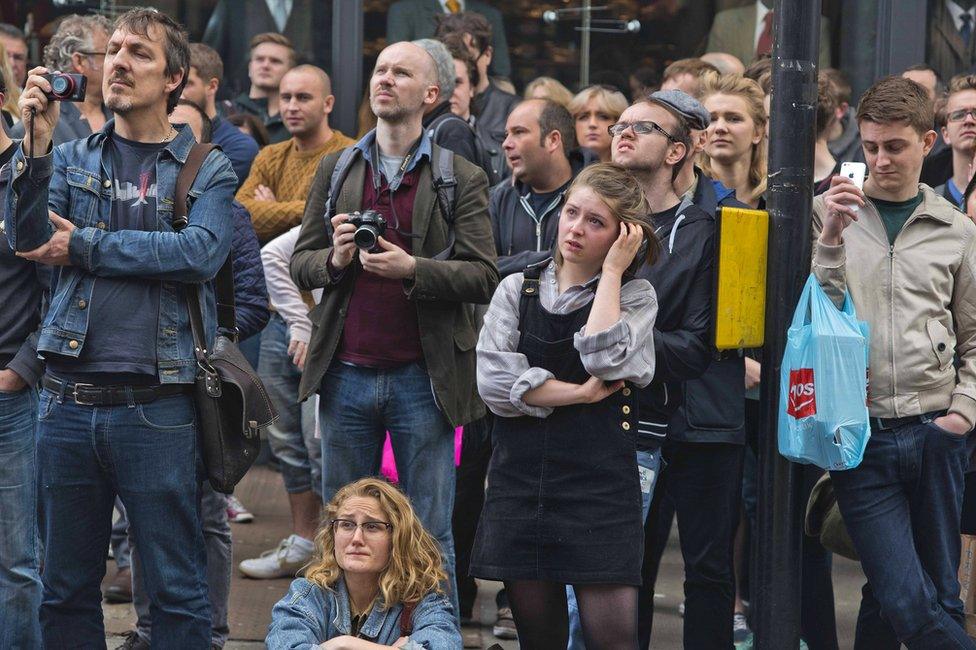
x: 375, y: 580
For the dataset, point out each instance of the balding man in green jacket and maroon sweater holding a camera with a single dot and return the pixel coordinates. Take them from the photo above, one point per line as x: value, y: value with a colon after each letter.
x: 392, y: 345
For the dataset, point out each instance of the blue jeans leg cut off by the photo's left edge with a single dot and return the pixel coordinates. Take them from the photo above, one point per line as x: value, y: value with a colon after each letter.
x: 20, y: 584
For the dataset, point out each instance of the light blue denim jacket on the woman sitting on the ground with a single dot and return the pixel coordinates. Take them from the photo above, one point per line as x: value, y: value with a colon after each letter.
x: 309, y: 615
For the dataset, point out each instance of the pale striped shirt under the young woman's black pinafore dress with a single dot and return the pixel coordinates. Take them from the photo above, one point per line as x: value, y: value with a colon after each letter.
x: 624, y: 351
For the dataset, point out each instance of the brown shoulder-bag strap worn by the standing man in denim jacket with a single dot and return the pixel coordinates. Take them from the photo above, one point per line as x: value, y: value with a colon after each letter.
x: 224, y: 281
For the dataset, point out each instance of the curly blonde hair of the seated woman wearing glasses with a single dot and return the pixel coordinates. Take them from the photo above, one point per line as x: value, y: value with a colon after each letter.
x: 414, y: 569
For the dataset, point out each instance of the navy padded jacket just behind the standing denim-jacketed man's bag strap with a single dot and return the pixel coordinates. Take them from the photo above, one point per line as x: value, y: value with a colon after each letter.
x: 250, y: 292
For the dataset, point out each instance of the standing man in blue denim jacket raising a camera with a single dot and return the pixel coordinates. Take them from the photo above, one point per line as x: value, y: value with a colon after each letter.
x: 116, y: 416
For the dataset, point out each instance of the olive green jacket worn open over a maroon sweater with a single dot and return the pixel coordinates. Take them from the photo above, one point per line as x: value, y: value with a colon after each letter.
x: 441, y: 290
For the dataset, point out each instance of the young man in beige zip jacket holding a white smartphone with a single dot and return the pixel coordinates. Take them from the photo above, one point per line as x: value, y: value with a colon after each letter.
x: 908, y: 259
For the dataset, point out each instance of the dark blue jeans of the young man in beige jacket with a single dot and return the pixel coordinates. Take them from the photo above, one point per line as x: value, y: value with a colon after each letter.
x: 902, y: 506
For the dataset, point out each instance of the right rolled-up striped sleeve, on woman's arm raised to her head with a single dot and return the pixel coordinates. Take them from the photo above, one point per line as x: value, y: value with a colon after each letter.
x: 626, y: 349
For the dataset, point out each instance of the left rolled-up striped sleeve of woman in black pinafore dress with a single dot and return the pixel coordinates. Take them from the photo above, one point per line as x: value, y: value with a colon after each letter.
x: 504, y: 375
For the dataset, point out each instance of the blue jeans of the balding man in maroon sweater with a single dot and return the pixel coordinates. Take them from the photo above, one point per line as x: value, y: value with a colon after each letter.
x: 357, y: 406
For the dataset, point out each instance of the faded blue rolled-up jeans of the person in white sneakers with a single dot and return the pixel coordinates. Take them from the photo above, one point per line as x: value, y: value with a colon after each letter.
x: 292, y: 436
